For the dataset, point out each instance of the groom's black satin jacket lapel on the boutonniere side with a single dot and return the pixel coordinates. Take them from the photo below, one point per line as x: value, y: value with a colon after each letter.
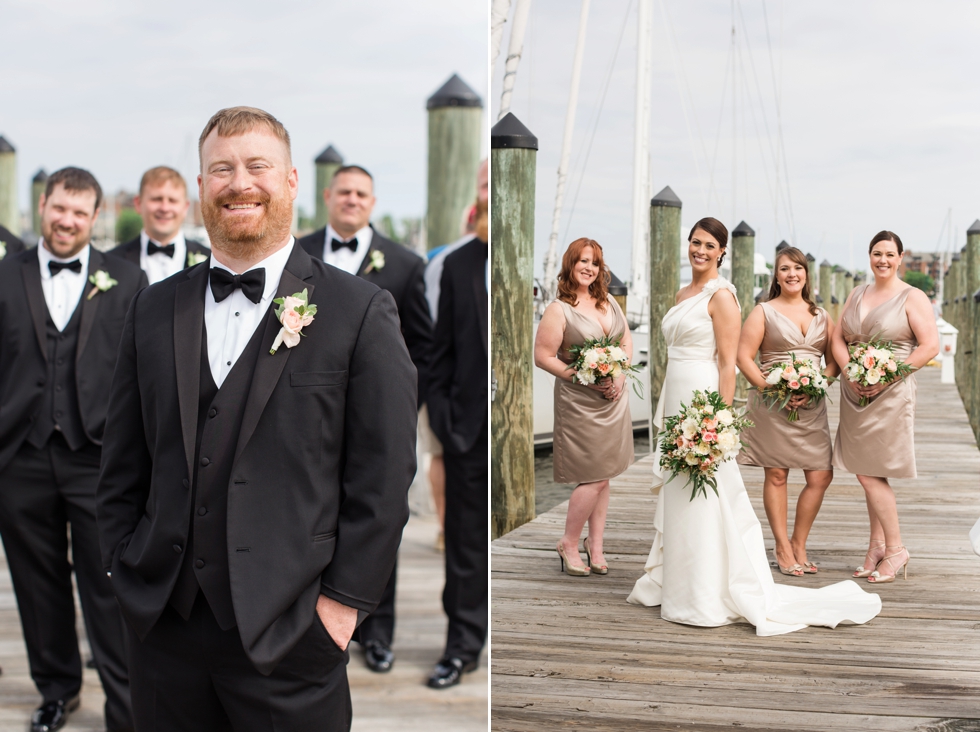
x: 270, y: 367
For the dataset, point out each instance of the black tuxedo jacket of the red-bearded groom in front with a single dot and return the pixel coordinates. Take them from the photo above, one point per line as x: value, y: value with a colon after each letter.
x: 318, y: 493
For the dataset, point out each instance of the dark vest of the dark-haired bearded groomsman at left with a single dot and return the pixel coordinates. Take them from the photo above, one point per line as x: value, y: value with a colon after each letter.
x: 59, y: 403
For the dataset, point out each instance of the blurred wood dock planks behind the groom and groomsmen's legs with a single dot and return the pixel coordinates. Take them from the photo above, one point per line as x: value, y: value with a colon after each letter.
x: 396, y: 701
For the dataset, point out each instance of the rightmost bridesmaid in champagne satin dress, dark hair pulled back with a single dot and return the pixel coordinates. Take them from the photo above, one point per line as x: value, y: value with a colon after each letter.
x: 875, y: 441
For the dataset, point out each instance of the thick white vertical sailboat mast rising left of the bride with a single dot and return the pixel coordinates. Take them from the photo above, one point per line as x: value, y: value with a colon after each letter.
x: 639, y: 287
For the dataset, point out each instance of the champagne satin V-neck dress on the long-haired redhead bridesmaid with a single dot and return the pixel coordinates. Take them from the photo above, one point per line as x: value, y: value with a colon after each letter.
x: 593, y: 438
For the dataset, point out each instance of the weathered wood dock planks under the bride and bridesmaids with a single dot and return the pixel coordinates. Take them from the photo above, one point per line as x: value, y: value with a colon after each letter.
x: 570, y: 653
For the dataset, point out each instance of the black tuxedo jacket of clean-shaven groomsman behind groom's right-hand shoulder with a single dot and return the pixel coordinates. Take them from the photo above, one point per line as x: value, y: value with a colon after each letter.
x: 402, y: 276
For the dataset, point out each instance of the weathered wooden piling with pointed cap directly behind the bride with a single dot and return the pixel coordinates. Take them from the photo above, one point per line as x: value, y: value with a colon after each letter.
x: 665, y: 281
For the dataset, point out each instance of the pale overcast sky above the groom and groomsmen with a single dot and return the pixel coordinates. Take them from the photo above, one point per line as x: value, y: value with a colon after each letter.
x: 118, y: 87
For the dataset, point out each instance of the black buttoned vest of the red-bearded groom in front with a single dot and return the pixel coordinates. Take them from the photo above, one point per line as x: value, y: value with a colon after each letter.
x: 219, y: 420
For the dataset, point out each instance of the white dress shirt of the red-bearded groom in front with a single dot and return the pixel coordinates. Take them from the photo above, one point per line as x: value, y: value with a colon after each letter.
x: 231, y: 322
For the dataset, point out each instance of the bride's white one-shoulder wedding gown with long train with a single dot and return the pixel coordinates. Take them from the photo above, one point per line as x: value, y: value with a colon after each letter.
x: 708, y: 564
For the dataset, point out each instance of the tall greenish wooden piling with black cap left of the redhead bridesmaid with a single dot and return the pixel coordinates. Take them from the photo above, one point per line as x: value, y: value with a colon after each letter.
x: 513, y: 160
